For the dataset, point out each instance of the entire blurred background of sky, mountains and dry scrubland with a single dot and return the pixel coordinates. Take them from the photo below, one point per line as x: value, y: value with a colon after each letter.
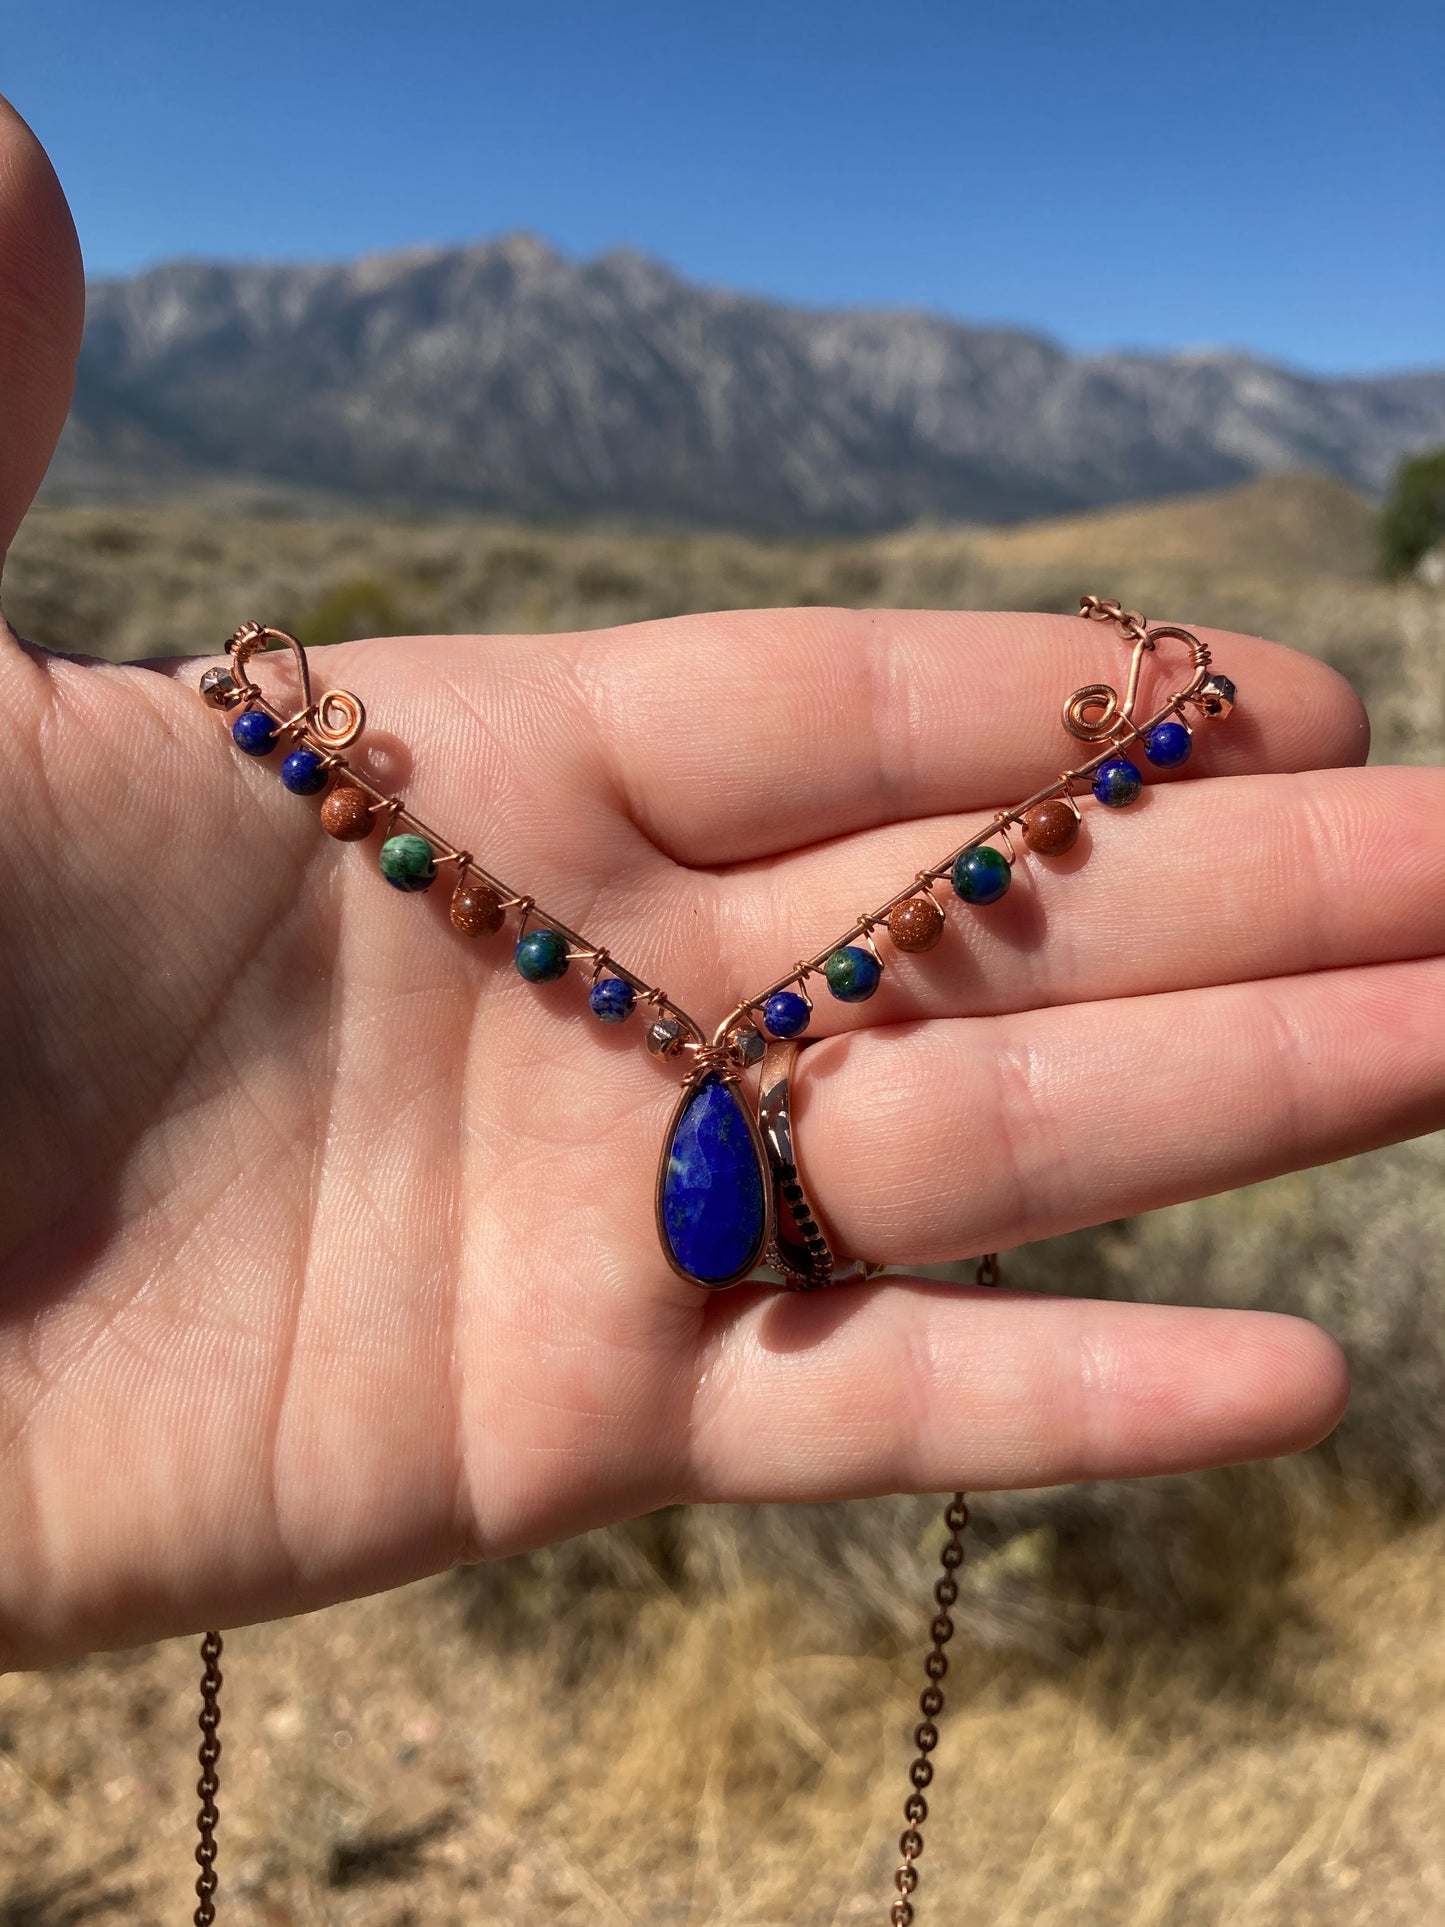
x: 307, y: 392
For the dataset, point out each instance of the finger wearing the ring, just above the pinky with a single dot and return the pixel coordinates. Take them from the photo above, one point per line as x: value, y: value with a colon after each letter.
x: 962, y: 1136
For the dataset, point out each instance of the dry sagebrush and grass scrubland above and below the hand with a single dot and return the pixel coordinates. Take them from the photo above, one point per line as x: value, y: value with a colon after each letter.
x: 1172, y: 1704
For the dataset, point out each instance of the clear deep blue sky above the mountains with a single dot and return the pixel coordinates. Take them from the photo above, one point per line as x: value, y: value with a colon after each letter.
x: 1267, y: 176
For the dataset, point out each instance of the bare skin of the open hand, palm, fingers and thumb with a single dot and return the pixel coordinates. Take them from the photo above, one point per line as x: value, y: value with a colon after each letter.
x: 327, y: 1244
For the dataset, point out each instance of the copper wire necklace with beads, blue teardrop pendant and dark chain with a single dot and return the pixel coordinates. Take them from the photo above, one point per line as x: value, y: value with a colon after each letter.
x: 729, y: 1194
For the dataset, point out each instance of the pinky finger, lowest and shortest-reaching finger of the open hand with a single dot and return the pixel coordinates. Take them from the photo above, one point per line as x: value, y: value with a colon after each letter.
x: 918, y: 1386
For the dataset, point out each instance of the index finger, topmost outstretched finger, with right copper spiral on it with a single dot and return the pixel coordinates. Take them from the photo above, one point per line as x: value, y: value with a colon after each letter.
x: 750, y: 733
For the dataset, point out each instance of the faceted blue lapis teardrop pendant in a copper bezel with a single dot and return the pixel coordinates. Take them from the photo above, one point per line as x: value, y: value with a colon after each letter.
x: 714, y: 1201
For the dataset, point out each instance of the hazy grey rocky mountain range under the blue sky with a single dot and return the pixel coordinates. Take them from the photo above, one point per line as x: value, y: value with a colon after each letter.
x: 512, y: 381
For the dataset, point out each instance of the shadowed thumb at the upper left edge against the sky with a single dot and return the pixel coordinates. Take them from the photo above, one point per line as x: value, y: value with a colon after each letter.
x: 41, y: 315
